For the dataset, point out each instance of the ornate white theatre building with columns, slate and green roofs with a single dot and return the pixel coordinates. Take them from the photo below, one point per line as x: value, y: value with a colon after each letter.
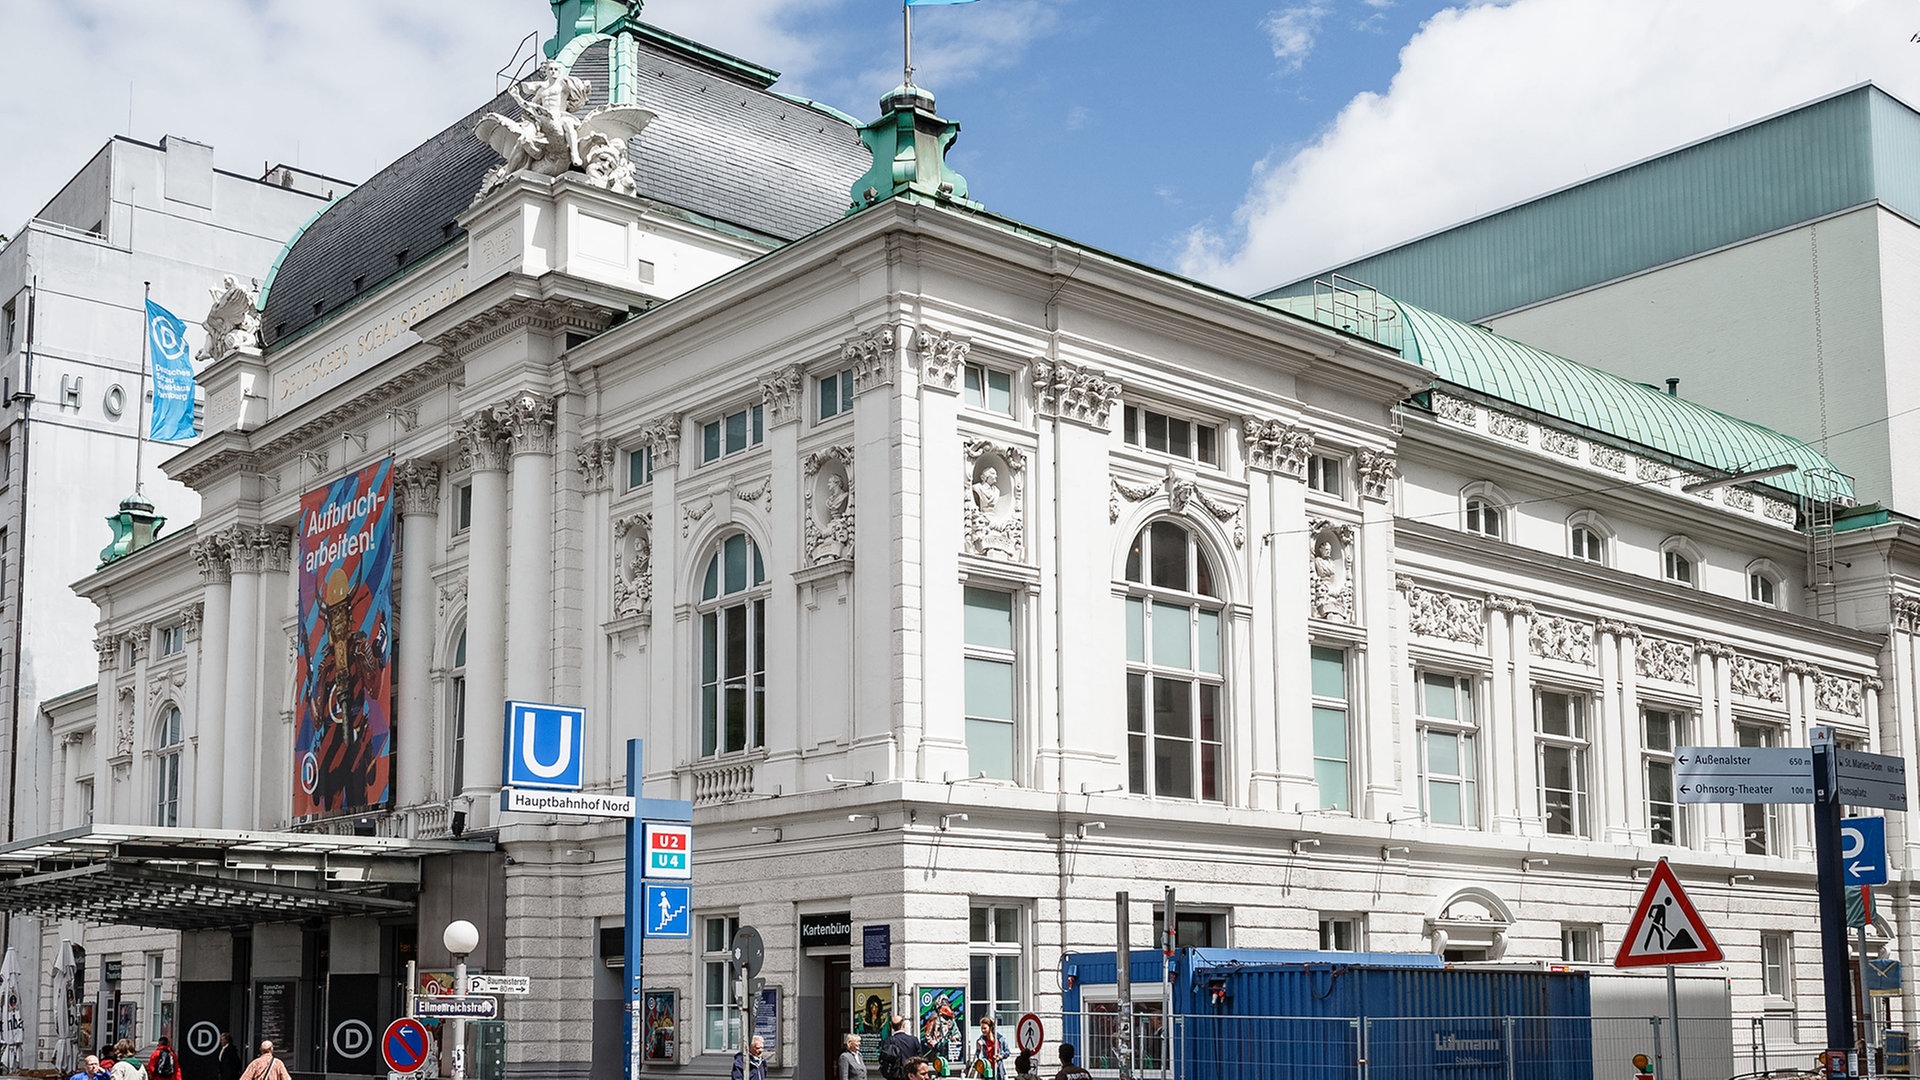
x: 961, y: 577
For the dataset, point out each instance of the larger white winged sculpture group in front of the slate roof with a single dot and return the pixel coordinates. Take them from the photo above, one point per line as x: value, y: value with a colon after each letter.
x: 554, y: 139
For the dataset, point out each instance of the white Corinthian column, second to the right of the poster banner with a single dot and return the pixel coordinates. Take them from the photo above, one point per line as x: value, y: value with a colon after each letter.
x: 487, y: 612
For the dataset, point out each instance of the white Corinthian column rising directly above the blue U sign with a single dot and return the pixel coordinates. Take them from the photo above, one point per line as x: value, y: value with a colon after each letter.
x: 529, y: 424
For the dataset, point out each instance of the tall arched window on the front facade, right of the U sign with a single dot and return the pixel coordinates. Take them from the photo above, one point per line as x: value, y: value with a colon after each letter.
x: 734, y: 649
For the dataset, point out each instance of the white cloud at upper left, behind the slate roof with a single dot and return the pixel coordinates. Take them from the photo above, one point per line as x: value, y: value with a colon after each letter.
x: 341, y: 87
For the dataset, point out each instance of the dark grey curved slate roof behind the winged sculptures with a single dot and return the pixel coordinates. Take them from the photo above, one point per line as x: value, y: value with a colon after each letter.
x: 721, y: 147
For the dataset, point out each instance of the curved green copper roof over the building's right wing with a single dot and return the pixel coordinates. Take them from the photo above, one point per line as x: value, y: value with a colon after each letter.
x: 1558, y: 387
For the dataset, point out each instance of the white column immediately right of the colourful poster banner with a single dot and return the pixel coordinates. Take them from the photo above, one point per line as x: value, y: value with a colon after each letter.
x: 420, y: 526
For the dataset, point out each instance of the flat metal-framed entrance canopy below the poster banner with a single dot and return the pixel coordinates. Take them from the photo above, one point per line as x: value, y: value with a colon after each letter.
x: 189, y: 879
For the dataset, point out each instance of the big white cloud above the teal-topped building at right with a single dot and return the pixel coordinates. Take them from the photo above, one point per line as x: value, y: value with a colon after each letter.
x: 1495, y: 105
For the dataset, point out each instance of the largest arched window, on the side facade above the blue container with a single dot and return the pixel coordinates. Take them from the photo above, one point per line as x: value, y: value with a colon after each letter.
x: 1176, y: 691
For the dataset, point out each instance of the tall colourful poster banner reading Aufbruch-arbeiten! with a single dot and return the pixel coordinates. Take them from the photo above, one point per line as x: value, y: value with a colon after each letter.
x: 345, y: 716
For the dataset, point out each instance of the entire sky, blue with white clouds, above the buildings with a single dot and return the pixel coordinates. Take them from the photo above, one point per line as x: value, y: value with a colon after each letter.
x: 1239, y: 141
